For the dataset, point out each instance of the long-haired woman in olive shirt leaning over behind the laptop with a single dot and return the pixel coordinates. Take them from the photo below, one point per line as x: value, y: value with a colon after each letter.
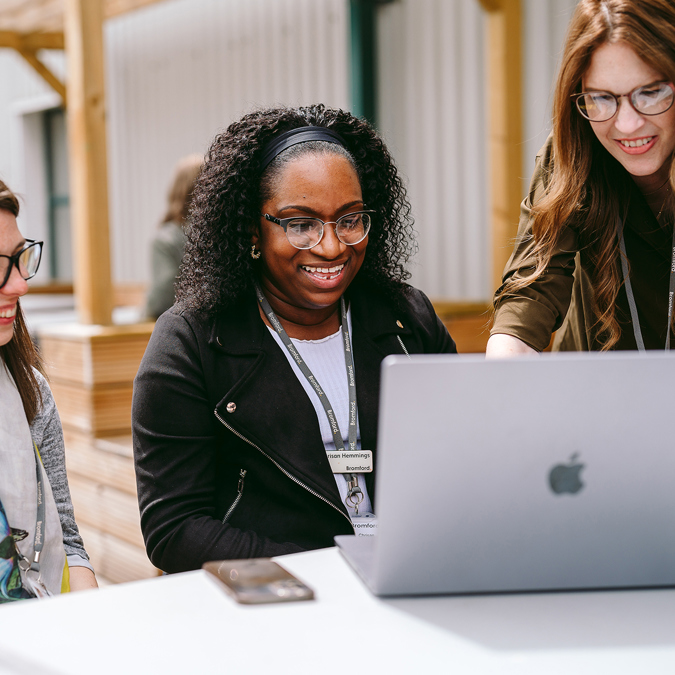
x: 595, y: 253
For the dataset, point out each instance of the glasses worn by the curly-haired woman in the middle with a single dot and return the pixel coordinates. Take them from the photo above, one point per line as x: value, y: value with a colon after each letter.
x: 304, y: 233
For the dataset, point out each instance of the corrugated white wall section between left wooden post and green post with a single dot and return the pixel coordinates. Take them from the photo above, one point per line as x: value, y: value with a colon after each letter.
x: 182, y: 70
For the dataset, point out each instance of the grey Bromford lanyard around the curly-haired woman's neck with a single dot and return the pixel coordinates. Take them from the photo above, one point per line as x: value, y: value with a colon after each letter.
x: 355, y: 495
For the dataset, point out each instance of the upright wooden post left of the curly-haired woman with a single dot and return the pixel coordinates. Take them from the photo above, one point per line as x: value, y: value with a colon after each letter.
x: 88, y: 159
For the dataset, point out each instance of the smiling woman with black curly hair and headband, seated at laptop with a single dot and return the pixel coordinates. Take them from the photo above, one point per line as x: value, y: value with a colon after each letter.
x: 262, y: 382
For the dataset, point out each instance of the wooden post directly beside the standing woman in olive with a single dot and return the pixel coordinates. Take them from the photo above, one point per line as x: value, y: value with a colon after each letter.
x: 505, y: 122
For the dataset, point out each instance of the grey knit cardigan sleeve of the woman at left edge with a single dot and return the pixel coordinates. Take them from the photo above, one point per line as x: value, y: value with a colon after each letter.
x: 48, y: 436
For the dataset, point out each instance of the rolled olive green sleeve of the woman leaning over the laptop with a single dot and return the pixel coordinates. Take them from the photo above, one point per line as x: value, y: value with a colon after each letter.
x: 536, y: 311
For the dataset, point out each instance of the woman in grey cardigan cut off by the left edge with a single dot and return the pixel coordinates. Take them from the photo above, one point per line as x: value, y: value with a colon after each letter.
x: 41, y: 551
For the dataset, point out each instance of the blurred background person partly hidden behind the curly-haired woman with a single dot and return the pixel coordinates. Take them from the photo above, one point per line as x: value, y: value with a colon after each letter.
x: 168, y: 245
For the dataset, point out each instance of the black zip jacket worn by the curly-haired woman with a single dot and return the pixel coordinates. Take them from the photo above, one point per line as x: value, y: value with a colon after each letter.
x: 224, y: 431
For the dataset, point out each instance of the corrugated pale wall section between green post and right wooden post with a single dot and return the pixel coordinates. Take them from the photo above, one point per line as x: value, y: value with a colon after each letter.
x: 432, y: 113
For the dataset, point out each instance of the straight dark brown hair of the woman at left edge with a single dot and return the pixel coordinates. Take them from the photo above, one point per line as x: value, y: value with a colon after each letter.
x: 19, y: 354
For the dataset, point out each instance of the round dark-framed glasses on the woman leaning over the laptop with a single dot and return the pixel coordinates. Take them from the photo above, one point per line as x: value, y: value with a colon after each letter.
x: 641, y: 98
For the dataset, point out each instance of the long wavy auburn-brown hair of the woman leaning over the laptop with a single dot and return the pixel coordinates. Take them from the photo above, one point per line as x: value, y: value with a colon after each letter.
x: 585, y: 184
